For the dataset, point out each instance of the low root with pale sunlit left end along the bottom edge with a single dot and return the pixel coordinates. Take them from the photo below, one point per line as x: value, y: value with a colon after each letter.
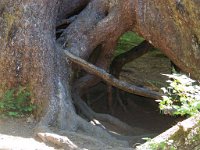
x: 75, y: 140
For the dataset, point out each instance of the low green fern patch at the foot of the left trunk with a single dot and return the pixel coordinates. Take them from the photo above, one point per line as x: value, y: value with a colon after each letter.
x: 16, y: 102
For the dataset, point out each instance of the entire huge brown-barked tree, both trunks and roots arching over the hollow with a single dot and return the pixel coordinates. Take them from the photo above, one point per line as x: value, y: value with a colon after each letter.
x: 31, y: 55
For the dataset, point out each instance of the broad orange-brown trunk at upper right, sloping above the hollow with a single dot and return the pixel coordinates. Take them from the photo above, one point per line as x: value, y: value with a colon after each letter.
x: 173, y: 27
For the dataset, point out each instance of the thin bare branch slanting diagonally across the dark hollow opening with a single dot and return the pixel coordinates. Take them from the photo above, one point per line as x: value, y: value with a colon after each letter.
x: 111, y: 79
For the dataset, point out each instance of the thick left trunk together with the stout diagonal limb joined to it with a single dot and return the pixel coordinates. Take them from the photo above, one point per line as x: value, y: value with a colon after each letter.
x: 30, y: 55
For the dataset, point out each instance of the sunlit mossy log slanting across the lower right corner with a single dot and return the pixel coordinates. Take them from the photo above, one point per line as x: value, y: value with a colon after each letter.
x: 185, y: 135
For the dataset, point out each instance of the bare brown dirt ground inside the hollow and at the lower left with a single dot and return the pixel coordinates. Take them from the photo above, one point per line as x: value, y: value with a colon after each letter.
x: 142, y: 113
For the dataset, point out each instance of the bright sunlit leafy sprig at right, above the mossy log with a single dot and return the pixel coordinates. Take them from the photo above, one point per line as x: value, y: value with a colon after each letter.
x: 182, y: 96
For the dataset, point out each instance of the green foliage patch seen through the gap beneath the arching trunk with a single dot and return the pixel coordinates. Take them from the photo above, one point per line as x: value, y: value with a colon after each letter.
x: 127, y: 41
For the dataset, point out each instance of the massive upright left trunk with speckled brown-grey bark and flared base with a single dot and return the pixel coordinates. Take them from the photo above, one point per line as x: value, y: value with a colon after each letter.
x: 29, y: 58
